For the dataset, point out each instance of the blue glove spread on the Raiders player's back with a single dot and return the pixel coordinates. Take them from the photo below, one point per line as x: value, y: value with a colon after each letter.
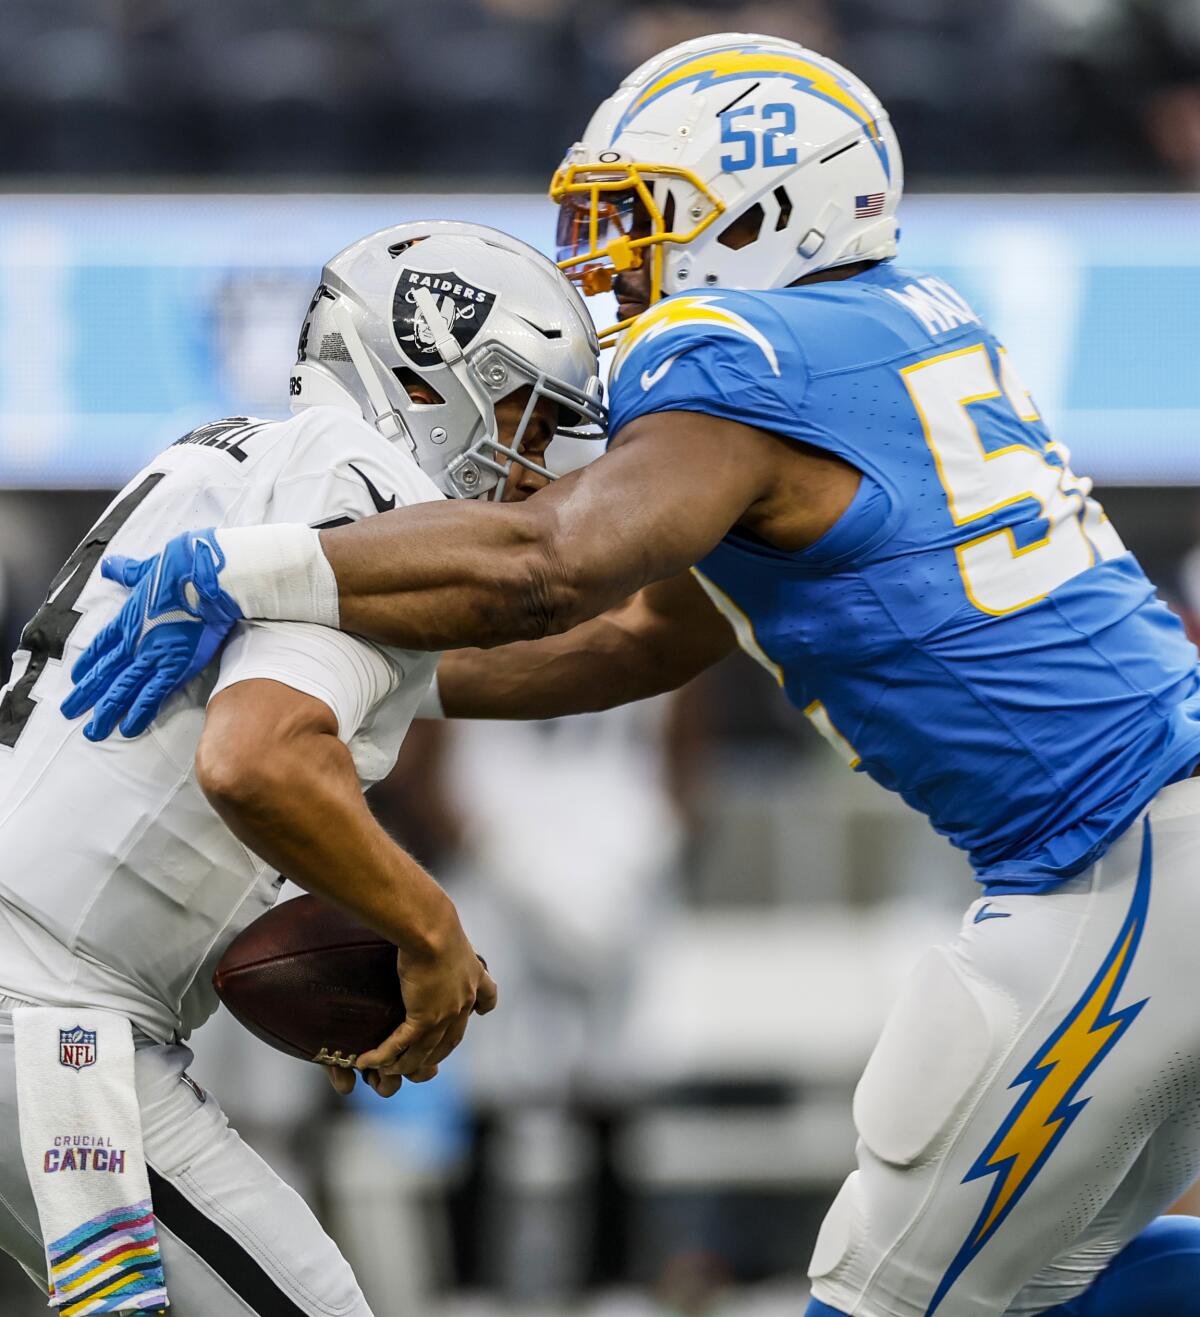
x: 168, y: 632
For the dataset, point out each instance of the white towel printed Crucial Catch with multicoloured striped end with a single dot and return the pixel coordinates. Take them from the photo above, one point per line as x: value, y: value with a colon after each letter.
x: 82, y: 1144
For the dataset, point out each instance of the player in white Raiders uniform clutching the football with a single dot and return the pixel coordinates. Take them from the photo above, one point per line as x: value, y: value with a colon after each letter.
x: 128, y: 867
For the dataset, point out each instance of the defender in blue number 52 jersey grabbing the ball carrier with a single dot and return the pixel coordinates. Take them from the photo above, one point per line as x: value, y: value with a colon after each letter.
x: 845, y: 476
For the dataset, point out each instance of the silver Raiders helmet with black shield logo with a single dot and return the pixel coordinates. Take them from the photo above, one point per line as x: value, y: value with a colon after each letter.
x: 459, y: 314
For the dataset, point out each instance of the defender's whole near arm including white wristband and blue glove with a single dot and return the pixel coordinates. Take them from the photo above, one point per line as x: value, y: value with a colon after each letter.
x: 451, y: 576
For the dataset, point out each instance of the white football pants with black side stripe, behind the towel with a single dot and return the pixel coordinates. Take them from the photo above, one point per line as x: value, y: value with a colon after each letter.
x: 236, y: 1240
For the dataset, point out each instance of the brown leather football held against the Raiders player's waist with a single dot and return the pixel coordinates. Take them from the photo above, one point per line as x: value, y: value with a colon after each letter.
x: 313, y: 983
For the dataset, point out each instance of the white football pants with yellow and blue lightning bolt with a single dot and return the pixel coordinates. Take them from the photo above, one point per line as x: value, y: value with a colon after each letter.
x: 1035, y: 1099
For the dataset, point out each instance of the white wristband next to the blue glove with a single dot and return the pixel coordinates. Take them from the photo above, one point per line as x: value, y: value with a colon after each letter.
x: 280, y: 572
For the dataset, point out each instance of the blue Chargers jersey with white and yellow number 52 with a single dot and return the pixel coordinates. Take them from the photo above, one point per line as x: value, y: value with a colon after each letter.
x: 971, y: 633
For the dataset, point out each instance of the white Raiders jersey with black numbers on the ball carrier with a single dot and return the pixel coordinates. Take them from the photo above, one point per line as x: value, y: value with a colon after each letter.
x: 119, y: 884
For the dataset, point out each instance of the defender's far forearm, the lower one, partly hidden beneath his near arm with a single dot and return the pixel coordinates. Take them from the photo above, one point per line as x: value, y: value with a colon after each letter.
x: 657, y: 642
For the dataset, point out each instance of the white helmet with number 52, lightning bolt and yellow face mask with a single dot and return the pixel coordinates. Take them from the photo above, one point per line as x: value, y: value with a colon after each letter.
x: 734, y: 160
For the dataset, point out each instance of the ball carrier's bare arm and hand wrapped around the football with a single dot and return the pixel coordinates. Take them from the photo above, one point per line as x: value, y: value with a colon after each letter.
x: 273, y: 767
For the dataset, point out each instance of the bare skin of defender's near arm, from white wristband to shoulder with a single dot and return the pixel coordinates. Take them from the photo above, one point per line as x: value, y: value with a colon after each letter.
x: 452, y: 575
